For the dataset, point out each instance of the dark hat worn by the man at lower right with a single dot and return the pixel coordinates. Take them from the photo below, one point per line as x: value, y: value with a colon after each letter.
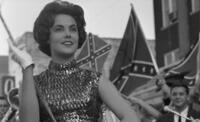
x: 177, y: 80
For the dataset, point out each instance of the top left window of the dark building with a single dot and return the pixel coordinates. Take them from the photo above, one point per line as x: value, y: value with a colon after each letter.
x: 169, y: 12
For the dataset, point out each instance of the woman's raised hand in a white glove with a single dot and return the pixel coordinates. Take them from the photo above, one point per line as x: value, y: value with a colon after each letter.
x: 20, y: 56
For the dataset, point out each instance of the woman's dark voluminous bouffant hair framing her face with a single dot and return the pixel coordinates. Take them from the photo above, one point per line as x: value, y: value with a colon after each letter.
x: 46, y: 18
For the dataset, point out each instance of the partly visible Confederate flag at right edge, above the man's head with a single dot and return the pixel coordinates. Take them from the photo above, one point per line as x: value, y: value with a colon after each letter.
x: 189, y: 64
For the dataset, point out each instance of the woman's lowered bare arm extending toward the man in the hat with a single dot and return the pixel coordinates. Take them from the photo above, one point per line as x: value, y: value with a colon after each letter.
x: 112, y: 98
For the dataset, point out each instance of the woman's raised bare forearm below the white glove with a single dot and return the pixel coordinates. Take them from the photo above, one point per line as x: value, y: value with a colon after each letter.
x: 29, y: 108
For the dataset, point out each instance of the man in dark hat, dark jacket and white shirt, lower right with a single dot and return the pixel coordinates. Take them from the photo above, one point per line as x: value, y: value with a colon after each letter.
x: 179, y: 96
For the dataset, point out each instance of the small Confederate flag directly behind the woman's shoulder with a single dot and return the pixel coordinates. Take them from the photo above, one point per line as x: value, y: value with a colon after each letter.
x: 93, y: 53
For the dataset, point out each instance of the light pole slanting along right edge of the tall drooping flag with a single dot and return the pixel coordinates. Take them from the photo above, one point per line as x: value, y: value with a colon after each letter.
x: 152, y: 57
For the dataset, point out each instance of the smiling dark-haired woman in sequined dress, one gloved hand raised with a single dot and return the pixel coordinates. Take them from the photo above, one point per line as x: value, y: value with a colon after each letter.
x: 65, y: 92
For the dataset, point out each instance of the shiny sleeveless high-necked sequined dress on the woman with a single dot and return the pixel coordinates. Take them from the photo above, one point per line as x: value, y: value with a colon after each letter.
x: 70, y: 92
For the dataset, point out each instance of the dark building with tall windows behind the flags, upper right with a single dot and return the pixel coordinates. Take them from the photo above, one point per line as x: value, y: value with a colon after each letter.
x: 177, y: 27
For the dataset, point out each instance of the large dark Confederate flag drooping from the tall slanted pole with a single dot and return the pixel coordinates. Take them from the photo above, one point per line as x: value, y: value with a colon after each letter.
x: 134, y: 65
